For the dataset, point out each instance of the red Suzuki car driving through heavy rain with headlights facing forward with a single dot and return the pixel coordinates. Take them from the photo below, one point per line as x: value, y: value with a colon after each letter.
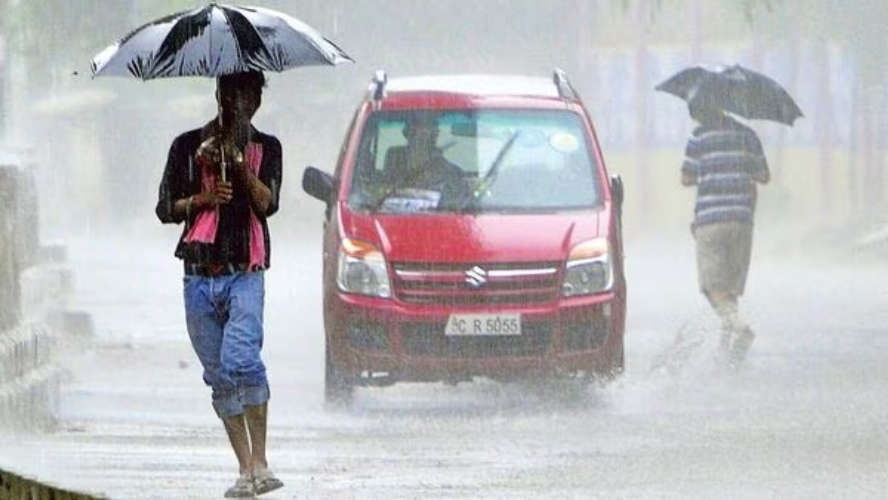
x: 471, y: 230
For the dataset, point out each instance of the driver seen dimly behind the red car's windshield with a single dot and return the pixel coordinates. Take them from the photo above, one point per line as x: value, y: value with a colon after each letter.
x: 420, y: 166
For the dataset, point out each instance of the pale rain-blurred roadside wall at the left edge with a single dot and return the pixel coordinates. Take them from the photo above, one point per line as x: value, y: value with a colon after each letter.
x: 32, y: 290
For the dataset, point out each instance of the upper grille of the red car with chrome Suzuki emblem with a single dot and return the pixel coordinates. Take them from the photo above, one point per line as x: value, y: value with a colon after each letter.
x: 476, y: 284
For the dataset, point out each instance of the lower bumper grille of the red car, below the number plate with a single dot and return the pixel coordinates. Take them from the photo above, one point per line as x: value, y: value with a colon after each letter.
x: 428, y: 339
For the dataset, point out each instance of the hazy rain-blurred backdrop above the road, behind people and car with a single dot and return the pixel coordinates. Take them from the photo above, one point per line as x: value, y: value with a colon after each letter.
x: 100, y: 145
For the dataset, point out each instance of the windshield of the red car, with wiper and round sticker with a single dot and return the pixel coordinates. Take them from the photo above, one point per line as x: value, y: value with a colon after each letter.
x: 474, y: 161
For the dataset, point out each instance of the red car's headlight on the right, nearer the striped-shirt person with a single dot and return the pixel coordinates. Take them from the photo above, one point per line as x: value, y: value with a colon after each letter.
x: 589, y: 269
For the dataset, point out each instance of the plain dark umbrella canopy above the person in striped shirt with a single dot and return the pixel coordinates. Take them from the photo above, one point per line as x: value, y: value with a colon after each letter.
x: 735, y: 89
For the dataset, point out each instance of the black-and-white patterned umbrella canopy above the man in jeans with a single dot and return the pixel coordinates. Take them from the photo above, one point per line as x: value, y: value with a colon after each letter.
x: 217, y: 40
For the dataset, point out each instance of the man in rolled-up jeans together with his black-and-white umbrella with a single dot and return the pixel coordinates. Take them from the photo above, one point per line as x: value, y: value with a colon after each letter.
x: 223, y: 181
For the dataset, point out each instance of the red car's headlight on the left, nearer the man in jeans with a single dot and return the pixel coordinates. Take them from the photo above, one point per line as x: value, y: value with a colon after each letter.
x: 362, y: 269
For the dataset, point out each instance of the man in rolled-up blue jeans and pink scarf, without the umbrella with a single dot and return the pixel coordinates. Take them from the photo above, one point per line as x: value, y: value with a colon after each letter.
x: 225, y: 249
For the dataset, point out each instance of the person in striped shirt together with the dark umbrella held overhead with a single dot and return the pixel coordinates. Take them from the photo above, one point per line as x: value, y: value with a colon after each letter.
x: 724, y: 160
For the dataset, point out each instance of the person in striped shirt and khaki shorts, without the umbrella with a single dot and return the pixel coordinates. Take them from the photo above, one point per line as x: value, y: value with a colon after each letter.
x: 724, y: 159
